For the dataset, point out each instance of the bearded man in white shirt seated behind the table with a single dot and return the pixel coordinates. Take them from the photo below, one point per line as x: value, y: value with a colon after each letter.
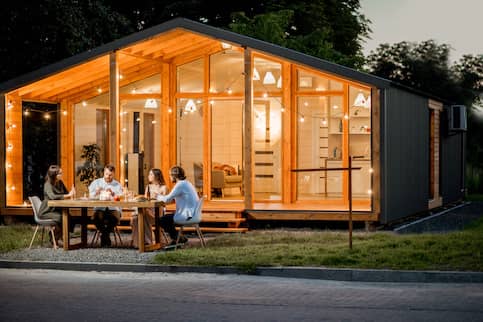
x: 106, y: 219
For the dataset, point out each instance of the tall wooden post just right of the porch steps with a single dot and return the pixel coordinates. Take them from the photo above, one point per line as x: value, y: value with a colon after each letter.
x: 247, y: 130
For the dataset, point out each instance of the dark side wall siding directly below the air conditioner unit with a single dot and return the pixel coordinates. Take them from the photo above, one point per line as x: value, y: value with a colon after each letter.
x: 452, y: 166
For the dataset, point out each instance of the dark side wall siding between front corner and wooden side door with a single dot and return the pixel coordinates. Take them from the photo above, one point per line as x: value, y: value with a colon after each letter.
x: 404, y: 155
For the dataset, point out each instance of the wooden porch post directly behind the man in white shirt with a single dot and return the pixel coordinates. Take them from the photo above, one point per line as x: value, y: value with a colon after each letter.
x: 114, y: 124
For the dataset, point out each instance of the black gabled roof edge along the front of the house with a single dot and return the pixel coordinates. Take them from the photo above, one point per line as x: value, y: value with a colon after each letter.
x: 200, y: 28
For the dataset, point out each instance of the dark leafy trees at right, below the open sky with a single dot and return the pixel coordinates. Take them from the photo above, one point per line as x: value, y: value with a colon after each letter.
x: 425, y: 66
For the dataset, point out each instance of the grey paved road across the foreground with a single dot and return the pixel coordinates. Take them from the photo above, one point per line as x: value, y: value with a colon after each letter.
x: 53, y: 295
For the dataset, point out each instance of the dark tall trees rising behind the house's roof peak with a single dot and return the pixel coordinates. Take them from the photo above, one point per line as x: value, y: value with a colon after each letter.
x: 38, y: 33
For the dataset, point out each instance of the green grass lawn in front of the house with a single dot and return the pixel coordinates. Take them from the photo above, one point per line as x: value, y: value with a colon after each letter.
x: 460, y: 251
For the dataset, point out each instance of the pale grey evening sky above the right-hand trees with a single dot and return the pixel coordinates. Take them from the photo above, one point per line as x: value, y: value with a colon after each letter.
x: 456, y: 23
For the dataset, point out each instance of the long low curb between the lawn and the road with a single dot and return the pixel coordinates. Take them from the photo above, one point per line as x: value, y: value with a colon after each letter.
x: 352, y: 275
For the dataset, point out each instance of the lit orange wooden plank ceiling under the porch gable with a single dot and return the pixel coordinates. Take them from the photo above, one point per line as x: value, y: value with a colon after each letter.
x: 136, y: 62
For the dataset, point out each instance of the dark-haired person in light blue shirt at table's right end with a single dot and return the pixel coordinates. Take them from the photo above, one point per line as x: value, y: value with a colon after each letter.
x: 184, y: 193
